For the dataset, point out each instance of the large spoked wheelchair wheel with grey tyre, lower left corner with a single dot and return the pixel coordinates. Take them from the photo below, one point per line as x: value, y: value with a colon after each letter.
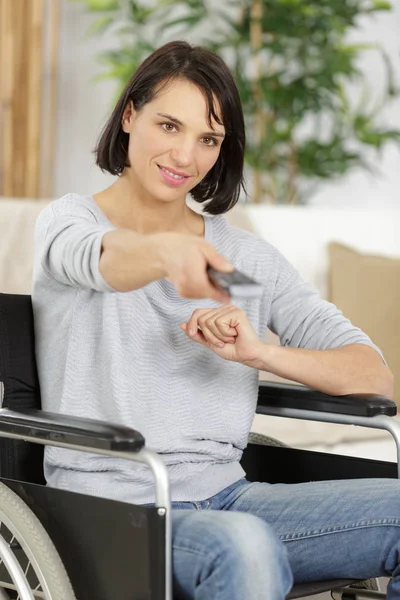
x: 27, y: 547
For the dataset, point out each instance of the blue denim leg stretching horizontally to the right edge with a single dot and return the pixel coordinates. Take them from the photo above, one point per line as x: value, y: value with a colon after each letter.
x: 332, y: 529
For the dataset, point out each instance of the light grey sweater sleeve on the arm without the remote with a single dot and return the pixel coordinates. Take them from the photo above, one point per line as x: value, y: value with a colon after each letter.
x: 302, y: 319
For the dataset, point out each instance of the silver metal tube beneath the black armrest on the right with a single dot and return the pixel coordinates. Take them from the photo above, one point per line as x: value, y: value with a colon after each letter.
x: 390, y: 424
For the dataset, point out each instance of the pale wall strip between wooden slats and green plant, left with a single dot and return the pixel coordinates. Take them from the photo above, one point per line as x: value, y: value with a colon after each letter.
x: 83, y: 105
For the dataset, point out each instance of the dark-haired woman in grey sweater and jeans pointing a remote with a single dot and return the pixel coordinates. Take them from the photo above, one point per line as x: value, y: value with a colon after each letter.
x: 136, y: 334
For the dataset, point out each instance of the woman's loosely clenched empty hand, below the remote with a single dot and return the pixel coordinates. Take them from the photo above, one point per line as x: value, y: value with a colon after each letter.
x: 226, y: 331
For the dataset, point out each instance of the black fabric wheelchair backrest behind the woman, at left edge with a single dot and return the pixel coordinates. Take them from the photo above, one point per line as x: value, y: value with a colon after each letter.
x: 21, y: 390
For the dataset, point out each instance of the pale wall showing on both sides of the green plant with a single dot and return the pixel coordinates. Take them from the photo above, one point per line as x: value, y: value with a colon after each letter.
x: 84, y: 106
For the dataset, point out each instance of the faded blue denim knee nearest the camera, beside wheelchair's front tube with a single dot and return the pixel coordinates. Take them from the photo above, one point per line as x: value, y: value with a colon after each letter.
x: 227, y: 556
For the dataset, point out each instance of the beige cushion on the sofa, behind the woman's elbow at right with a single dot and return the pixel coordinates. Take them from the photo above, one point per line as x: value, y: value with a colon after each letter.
x: 367, y: 289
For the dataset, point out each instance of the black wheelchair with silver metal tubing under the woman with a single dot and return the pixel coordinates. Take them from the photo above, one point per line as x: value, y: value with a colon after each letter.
x: 62, y: 545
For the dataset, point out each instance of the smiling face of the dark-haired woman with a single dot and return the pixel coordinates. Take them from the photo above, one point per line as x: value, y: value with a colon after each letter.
x: 171, y: 146
